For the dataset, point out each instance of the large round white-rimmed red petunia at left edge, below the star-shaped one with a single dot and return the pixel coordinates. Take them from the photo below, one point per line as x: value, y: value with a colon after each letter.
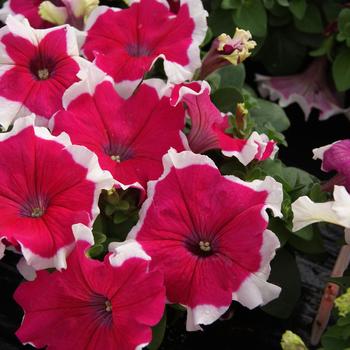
x: 47, y: 185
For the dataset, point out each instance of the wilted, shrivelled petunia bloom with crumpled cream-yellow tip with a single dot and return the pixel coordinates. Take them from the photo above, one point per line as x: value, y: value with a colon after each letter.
x: 225, y: 50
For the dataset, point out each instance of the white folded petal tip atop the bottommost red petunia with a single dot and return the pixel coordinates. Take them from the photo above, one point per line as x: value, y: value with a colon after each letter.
x: 122, y: 251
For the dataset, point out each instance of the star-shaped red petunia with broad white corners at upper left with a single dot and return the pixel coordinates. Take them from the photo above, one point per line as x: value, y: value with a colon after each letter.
x: 36, y: 67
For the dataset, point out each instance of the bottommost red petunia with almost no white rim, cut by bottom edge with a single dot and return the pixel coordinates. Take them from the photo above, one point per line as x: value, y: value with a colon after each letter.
x: 93, y: 305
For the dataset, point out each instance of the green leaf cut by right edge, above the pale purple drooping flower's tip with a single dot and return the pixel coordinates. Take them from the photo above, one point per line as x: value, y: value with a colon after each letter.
x: 341, y: 70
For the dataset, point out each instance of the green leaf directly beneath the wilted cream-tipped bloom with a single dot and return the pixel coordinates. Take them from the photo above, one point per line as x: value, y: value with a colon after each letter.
x: 226, y: 77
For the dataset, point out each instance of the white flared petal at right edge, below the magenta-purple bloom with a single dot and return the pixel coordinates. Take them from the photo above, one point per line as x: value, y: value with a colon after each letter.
x: 307, y: 212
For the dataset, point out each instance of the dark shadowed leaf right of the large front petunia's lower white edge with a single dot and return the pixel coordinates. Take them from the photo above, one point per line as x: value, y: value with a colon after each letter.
x: 284, y: 273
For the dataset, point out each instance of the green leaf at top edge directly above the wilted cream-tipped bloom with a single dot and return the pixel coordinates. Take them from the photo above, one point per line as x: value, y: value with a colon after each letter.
x: 252, y: 16
